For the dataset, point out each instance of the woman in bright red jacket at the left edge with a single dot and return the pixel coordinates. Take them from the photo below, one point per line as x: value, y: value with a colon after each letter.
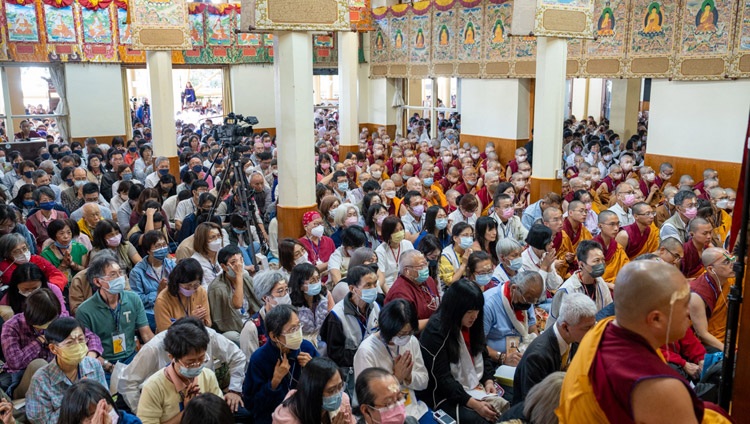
x: 15, y: 251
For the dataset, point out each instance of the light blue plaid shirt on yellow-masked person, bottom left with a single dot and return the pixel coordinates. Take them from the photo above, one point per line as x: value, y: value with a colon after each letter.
x: 48, y: 386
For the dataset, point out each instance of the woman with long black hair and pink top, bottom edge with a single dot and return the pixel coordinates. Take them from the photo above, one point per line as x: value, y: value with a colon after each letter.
x: 318, y: 398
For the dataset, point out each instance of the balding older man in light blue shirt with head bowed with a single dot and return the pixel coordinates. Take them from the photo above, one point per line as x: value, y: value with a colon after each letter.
x: 509, y: 316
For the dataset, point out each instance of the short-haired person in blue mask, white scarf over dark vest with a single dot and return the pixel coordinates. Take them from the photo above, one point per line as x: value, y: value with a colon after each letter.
x: 351, y: 320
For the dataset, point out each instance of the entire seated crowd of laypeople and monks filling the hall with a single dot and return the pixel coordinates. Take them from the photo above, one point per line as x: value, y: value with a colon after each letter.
x: 425, y: 272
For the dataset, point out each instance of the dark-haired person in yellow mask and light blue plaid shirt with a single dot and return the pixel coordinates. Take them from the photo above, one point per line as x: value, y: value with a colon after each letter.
x: 66, y: 340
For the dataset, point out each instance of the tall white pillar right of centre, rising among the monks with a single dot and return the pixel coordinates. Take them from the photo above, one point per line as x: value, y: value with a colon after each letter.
x: 549, y: 106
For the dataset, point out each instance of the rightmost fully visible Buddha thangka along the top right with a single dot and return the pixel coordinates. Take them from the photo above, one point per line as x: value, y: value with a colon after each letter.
x: 707, y: 28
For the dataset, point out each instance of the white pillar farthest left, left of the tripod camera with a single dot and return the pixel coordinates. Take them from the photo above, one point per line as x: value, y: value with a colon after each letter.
x: 159, y: 65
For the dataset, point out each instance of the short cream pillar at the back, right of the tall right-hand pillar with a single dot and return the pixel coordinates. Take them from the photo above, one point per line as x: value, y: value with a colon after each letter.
x: 623, y: 112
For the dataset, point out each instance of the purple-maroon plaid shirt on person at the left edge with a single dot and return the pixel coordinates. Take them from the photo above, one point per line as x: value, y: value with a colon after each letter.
x: 20, y: 344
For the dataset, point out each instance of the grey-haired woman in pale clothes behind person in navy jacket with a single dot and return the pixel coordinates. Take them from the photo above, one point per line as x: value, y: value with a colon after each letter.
x: 272, y: 289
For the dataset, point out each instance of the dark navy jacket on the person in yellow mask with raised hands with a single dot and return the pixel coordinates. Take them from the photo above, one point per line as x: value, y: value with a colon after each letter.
x: 256, y: 390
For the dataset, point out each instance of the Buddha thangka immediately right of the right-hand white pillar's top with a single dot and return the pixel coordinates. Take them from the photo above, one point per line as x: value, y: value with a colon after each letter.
x: 605, y: 53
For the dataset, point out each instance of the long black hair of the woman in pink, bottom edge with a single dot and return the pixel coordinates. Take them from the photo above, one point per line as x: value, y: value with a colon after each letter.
x: 306, y: 404
